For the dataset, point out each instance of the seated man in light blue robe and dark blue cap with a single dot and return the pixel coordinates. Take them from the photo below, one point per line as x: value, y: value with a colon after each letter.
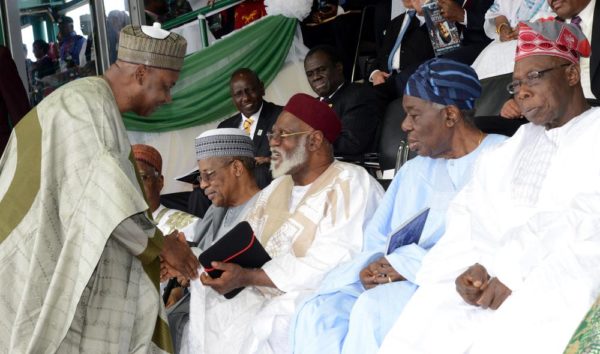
x: 359, y: 301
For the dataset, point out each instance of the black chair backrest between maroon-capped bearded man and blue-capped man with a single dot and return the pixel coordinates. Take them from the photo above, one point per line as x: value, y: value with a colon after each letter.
x: 391, y: 134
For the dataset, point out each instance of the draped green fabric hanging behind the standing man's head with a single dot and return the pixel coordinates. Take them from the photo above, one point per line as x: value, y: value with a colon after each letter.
x: 202, y: 93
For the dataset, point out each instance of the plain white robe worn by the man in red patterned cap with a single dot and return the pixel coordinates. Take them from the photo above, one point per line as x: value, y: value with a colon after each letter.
x: 531, y: 216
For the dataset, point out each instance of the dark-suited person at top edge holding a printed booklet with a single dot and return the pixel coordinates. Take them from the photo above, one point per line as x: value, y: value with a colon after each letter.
x: 469, y: 16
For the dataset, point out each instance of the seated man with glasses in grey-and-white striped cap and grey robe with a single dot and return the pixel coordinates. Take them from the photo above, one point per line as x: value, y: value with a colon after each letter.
x: 226, y: 163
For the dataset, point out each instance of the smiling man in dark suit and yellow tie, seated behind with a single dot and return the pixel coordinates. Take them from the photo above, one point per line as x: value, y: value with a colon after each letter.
x: 256, y: 116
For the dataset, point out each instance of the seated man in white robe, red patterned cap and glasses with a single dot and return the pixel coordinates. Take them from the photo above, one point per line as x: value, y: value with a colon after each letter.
x: 525, y: 231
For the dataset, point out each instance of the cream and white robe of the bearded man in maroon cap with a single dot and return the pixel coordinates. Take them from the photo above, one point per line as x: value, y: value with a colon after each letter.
x: 325, y: 229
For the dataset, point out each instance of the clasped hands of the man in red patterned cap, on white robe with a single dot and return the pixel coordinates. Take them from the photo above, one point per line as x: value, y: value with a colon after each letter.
x: 477, y: 288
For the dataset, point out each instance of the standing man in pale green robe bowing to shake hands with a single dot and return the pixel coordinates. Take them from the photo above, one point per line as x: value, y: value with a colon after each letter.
x: 76, y: 241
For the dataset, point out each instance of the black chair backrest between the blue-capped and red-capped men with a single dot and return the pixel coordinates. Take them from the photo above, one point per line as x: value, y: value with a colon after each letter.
x: 493, y: 95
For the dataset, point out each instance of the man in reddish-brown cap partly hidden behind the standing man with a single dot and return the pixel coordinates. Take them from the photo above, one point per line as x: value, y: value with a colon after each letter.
x: 149, y: 166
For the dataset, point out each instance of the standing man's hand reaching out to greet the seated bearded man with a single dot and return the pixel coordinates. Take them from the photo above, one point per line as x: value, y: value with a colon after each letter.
x: 177, y: 259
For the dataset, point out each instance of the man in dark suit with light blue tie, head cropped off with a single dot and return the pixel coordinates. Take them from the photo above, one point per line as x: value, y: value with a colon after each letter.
x: 405, y: 46
